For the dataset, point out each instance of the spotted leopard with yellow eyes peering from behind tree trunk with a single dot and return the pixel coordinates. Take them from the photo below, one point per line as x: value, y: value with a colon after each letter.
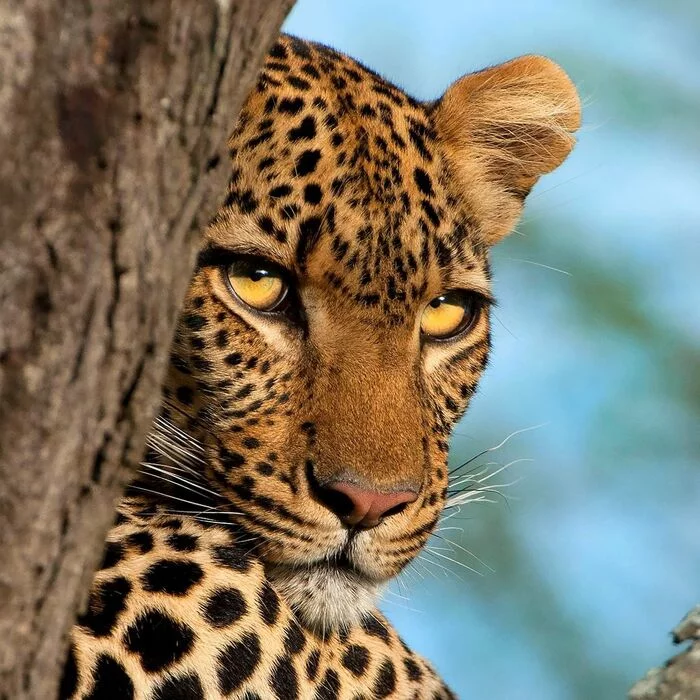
x: 334, y: 331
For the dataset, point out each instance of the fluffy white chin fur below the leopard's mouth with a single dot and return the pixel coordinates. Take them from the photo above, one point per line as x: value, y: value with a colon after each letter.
x: 323, y: 597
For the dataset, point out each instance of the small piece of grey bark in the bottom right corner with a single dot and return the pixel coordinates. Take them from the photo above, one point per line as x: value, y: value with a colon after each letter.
x: 679, y: 677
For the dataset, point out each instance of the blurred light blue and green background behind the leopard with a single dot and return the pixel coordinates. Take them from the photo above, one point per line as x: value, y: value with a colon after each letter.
x: 596, y: 550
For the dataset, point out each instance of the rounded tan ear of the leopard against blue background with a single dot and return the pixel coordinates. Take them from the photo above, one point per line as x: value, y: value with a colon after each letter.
x: 501, y: 129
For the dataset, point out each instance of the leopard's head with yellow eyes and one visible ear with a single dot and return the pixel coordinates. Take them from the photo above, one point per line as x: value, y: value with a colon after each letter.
x: 337, y: 323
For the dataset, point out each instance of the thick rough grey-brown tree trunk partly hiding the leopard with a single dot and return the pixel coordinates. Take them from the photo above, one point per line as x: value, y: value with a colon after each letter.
x: 113, y: 118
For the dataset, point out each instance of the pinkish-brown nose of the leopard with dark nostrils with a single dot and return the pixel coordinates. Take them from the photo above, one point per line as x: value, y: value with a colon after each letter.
x: 358, y: 507
